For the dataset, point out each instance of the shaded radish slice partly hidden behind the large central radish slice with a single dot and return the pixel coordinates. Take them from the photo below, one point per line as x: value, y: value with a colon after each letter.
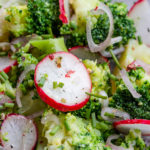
x: 84, y: 53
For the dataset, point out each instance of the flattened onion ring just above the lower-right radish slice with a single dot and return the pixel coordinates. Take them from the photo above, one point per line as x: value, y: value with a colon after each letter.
x: 121, y: 115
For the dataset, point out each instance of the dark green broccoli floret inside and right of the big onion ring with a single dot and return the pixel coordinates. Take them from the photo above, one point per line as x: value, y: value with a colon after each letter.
x: 123, y: 26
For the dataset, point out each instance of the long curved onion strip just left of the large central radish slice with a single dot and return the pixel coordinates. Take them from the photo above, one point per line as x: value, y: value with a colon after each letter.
x: 21, y: 78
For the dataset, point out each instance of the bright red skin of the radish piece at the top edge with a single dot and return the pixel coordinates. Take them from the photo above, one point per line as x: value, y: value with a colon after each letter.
x: 62, y: 15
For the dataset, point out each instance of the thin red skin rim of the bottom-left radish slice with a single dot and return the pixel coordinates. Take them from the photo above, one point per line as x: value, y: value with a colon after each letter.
x: 11, y: 115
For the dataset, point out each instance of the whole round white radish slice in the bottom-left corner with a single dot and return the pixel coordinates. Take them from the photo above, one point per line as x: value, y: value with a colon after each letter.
x: 18, y: 133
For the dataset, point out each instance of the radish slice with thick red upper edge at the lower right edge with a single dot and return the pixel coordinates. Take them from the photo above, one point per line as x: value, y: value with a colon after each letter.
x: 125, y: 125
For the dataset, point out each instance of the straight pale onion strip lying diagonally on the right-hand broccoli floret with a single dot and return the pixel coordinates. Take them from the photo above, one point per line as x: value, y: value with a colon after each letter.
x: 128, y: 84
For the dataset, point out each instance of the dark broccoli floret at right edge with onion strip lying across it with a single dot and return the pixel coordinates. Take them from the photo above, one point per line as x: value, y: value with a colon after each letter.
x: 122, y: 99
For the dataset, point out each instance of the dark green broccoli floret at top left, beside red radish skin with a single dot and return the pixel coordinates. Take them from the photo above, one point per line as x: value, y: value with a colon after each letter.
x: 43, y: 15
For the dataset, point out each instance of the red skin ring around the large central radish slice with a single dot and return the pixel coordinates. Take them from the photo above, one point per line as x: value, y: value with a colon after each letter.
x: 52, y: 102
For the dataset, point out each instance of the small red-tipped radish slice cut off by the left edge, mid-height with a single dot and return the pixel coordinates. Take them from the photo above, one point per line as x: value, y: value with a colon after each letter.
x: 6, y: 64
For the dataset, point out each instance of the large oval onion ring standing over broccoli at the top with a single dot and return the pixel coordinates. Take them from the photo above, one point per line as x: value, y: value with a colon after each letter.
x: 102, y: 46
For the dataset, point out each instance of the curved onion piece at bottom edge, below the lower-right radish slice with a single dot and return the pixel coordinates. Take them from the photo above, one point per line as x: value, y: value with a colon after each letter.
x: 115, y: 147
